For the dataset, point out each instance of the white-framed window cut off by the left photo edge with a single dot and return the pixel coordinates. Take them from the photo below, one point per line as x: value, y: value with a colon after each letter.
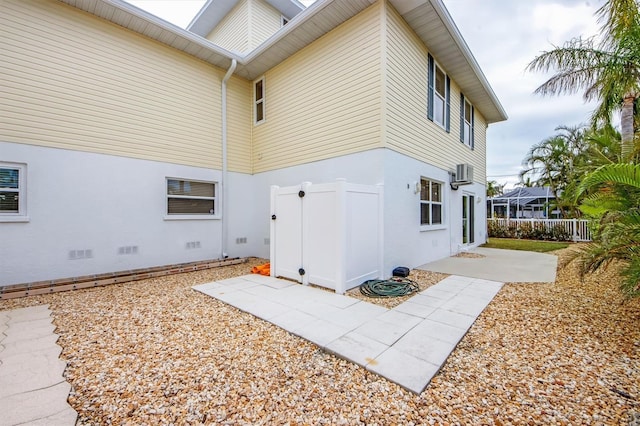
x: 12, y: 192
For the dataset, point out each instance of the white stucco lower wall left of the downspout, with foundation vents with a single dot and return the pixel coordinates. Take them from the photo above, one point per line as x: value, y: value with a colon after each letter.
x: 84, y: 201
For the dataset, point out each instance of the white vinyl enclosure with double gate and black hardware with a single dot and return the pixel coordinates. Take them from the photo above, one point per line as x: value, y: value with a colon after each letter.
x: 328, y: 234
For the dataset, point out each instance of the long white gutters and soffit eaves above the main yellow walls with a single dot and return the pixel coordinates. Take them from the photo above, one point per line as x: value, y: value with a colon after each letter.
x: 428, y: 18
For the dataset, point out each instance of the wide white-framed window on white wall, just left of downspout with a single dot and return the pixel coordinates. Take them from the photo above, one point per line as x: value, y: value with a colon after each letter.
x: 188, y: 197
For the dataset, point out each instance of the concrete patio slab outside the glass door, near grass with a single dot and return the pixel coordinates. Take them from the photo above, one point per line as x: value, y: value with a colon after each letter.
x: 510, y: 266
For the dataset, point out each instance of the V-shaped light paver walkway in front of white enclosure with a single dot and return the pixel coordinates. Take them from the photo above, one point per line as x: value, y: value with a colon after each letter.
x: 407, y: 344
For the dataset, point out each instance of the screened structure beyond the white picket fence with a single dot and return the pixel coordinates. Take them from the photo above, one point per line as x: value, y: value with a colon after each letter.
x: 523, y: 203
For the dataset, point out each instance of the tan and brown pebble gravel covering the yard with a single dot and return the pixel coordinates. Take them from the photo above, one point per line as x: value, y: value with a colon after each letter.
x: 157, y: 352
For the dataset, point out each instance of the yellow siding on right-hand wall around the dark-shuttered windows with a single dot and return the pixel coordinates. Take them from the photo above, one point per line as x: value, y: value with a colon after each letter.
x: 408, y: 130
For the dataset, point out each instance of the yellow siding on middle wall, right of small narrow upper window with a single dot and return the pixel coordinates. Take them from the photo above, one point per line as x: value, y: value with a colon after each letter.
x: 324, y: 101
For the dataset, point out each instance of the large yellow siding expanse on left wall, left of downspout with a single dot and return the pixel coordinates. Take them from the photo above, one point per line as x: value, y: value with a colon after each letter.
x: 74, y: 81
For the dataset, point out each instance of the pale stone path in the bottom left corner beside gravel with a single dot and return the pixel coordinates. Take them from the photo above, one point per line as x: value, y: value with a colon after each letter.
x: 32, y: 388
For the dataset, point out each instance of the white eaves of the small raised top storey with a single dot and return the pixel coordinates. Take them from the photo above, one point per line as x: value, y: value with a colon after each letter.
x: 214, y: 11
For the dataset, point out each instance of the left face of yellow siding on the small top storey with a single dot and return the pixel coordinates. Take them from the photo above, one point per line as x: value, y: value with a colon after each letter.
x: 232, y: 33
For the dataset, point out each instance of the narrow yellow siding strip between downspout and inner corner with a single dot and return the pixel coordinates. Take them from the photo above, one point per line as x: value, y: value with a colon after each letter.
x: 239, y: 118
